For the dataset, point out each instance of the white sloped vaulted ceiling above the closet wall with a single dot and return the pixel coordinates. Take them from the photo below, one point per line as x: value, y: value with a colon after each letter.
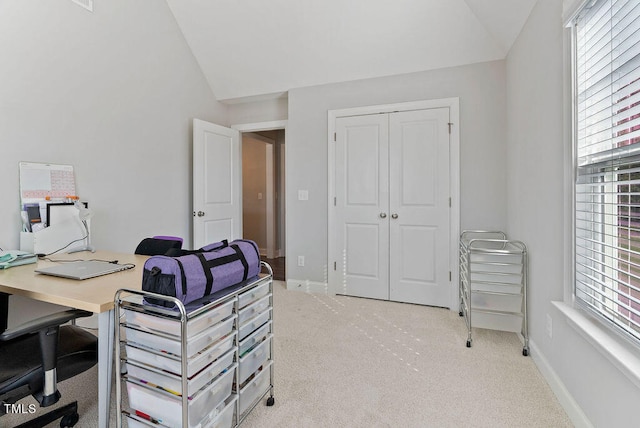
x: 262, y: 48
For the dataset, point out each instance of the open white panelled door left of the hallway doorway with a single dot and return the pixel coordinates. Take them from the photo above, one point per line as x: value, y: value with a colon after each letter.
x: 217, y: 175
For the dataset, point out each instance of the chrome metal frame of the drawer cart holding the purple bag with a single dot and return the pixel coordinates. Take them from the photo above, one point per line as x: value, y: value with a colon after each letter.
x: 183, y: 315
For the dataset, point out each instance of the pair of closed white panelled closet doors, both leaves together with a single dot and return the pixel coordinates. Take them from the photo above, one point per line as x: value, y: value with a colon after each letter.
x: 392, y: 206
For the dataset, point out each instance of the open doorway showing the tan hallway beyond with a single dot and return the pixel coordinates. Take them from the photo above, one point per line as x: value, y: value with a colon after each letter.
x: 263, y: 191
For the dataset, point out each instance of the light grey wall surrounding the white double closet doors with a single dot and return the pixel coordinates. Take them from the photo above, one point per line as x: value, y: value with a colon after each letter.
x: 481, y: 88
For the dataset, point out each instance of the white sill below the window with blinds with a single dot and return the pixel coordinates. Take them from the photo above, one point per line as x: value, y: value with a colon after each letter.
x: 622, y: 354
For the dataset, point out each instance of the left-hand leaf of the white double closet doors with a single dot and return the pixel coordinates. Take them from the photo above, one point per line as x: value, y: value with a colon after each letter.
x: 362, y: 203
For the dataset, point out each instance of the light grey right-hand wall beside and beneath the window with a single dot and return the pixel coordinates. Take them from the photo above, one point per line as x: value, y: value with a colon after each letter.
x: 593, y: 390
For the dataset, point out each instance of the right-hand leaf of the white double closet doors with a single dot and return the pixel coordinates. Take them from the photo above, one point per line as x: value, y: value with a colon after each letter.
x: 419, y: 207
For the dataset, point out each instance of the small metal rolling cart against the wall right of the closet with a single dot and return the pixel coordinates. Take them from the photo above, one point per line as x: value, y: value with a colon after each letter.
x: 493, y: 283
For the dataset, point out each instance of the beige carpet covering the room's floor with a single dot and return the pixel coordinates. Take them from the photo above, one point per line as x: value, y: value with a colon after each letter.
x: 350, y: 362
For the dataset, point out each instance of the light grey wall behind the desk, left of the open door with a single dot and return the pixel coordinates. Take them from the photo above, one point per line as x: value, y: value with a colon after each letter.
x: 112, y: 93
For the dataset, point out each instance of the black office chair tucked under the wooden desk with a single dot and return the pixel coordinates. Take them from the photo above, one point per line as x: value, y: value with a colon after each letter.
x: 35, y: 356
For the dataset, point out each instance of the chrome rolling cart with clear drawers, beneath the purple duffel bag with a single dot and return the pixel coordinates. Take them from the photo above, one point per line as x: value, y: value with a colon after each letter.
x: 206, y: 364
